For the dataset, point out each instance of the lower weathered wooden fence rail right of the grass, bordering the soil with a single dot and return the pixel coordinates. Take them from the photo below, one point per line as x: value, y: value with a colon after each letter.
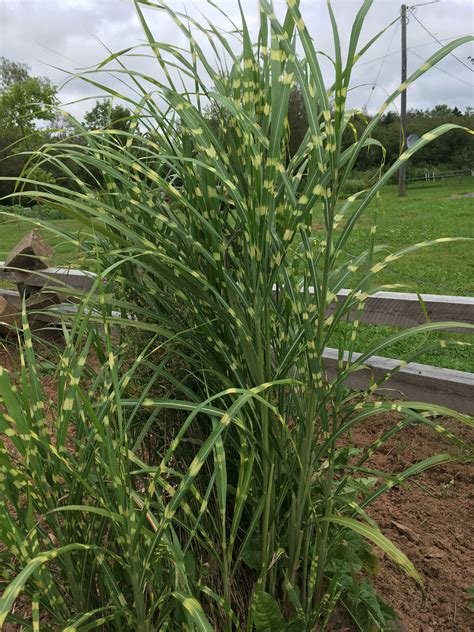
x: 418, y: 382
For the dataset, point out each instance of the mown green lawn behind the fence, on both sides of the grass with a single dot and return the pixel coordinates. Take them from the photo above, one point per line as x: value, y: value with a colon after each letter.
x: 427, y: 212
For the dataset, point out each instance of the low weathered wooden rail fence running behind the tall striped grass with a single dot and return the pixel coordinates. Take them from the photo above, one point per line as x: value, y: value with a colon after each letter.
x: 419, y: 382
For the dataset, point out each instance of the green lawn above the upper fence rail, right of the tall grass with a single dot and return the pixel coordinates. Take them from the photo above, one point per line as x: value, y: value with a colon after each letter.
x: 425, y: 213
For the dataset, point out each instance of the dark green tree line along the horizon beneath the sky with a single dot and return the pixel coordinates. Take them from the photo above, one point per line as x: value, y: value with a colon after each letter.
x: 29, y: 117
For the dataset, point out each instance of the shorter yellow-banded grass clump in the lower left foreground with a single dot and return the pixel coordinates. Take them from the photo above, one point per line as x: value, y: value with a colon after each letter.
x: 86, y: 527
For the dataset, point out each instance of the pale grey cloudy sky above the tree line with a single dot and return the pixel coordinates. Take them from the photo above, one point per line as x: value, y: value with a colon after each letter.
x: 53, y: 36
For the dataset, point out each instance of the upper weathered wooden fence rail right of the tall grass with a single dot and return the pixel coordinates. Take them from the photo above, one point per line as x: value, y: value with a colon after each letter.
x: 400, y: 309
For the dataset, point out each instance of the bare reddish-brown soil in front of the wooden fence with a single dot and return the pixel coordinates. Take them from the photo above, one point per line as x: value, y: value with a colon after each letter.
x: 428, y: 518
